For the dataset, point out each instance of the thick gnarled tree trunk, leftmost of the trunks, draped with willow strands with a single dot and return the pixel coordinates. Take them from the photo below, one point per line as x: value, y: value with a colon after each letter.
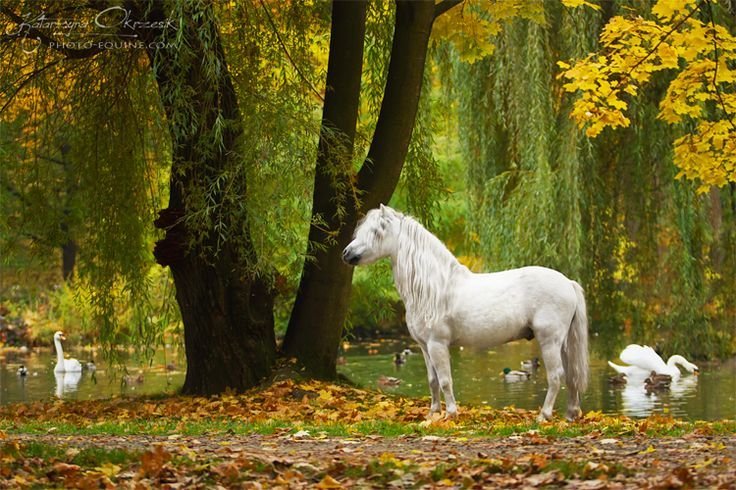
x: 227, y: 310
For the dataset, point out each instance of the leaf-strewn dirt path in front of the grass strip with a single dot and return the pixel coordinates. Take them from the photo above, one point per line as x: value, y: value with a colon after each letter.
x: 409, y: 461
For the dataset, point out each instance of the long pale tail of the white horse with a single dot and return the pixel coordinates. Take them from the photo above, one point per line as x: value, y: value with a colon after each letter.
x: 576, y: 344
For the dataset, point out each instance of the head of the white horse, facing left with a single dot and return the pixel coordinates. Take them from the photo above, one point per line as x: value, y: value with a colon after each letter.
x: 375, y: 237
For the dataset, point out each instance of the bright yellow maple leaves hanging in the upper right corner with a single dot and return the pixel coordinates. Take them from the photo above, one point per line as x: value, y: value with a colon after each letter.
x: 702, y: 93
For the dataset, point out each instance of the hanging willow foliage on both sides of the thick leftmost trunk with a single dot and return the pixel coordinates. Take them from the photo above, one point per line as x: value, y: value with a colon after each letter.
x: 108, y: 111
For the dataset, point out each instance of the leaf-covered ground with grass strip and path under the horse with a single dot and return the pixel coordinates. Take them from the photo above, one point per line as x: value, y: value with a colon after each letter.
x: 329, y: 436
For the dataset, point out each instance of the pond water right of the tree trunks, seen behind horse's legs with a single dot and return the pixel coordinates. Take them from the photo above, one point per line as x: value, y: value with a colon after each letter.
x: 477, y: 380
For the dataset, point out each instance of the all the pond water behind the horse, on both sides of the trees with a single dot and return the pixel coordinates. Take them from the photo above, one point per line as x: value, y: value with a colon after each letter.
x: 477, y: 379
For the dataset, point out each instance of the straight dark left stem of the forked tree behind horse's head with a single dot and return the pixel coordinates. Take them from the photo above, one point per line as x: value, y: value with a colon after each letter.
x: 322, y: 300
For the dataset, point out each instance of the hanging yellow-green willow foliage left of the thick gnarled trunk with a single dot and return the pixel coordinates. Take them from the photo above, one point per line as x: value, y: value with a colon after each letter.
x: 89, y: 170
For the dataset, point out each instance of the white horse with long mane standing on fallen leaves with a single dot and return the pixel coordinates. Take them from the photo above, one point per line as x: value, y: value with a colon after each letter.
x: 447, y: 304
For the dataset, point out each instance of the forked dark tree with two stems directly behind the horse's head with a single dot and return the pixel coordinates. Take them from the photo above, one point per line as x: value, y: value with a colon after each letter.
x: 324, y: 291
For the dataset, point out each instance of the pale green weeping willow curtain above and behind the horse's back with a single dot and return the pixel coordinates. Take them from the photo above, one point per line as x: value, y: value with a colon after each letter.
x: 653, y: 255
